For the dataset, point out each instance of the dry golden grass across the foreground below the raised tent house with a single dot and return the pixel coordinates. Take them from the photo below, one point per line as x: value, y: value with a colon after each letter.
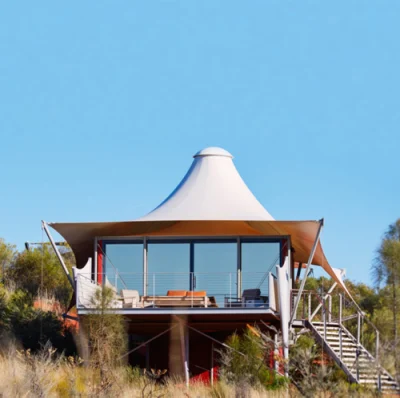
x: 44, y: 375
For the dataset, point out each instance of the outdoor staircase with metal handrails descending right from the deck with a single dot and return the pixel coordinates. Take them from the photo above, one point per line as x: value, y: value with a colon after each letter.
x: 325, y: 316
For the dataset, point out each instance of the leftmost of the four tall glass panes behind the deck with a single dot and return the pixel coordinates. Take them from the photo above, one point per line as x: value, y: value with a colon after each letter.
x: 124, y: 265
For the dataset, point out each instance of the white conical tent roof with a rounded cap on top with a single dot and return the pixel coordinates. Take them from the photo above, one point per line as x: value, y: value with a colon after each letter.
x: 212, y: 189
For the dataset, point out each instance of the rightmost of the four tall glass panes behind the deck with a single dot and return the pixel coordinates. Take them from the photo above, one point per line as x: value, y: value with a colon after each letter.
x: 258, y: 260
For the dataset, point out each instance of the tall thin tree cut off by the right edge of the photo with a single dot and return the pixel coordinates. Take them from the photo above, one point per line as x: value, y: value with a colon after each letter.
x: 386, y: 270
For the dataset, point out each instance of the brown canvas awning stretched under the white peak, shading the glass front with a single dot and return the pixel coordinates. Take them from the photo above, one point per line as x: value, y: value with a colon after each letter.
x: 80, y: 236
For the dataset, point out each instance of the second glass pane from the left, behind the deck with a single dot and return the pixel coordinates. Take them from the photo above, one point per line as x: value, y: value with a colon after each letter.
x: 168, y: 267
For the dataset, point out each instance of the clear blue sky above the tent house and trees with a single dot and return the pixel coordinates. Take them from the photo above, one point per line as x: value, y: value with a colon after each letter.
x: 102, y: 105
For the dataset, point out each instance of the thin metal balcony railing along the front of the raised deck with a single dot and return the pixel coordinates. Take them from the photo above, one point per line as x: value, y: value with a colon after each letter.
x: 177, y: 290
